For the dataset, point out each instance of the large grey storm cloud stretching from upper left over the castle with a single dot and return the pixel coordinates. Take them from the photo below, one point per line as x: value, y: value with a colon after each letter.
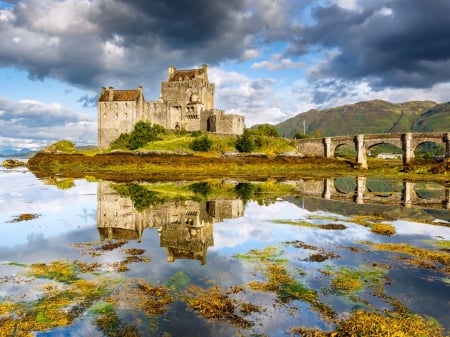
x: 127, y: 43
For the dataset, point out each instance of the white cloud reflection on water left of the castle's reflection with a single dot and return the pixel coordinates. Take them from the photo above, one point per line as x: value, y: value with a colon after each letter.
x: 57, y: 208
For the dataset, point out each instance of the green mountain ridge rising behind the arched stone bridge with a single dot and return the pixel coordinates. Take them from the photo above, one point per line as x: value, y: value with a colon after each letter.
x: 374, y: 116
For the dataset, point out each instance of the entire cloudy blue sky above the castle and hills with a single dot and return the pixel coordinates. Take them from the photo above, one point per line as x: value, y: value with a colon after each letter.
x: 270, y: 59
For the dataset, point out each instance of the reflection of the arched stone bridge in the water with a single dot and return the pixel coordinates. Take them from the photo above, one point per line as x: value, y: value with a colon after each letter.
x: 409, y: 194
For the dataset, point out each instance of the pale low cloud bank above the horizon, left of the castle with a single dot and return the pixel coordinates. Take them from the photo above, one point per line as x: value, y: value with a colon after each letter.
x: 32, y: 124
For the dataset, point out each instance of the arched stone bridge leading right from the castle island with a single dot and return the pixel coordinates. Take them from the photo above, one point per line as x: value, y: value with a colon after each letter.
x: 408, y: 142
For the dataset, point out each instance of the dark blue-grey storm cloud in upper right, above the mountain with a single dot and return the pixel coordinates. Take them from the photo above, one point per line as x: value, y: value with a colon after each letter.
x: 400, y: 43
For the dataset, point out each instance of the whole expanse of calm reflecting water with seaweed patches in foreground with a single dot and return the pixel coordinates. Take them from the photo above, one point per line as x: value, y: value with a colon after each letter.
x: 221, y: 258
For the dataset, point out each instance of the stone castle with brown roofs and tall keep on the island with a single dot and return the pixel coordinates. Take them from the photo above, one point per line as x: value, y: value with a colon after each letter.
x: 186, y: 102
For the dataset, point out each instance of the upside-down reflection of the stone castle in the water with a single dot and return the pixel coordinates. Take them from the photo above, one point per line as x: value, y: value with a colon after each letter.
x: 185, y: 228
